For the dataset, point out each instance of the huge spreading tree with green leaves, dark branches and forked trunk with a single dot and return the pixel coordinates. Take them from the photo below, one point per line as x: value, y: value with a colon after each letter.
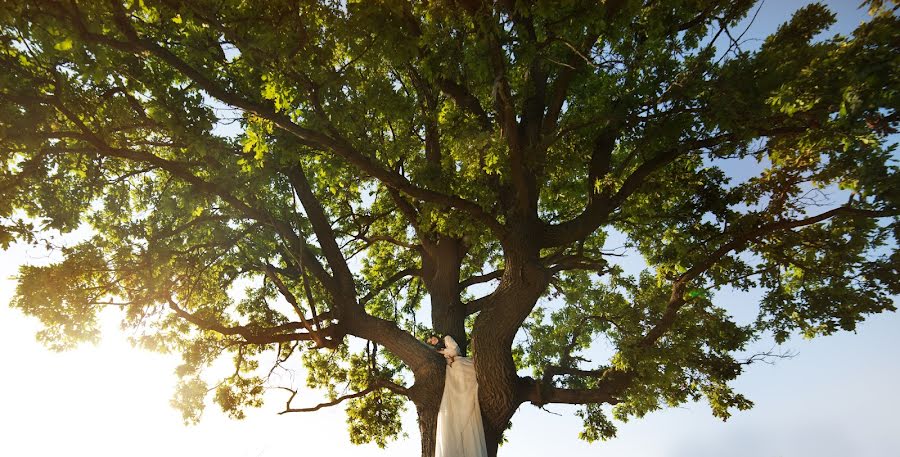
x: 331, y: 181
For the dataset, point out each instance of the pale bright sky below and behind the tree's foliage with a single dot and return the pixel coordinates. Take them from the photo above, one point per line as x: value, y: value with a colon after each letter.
x: 836, y: 397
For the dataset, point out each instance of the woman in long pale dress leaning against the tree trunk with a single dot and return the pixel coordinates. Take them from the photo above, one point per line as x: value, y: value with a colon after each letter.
x: 459, y: 432
